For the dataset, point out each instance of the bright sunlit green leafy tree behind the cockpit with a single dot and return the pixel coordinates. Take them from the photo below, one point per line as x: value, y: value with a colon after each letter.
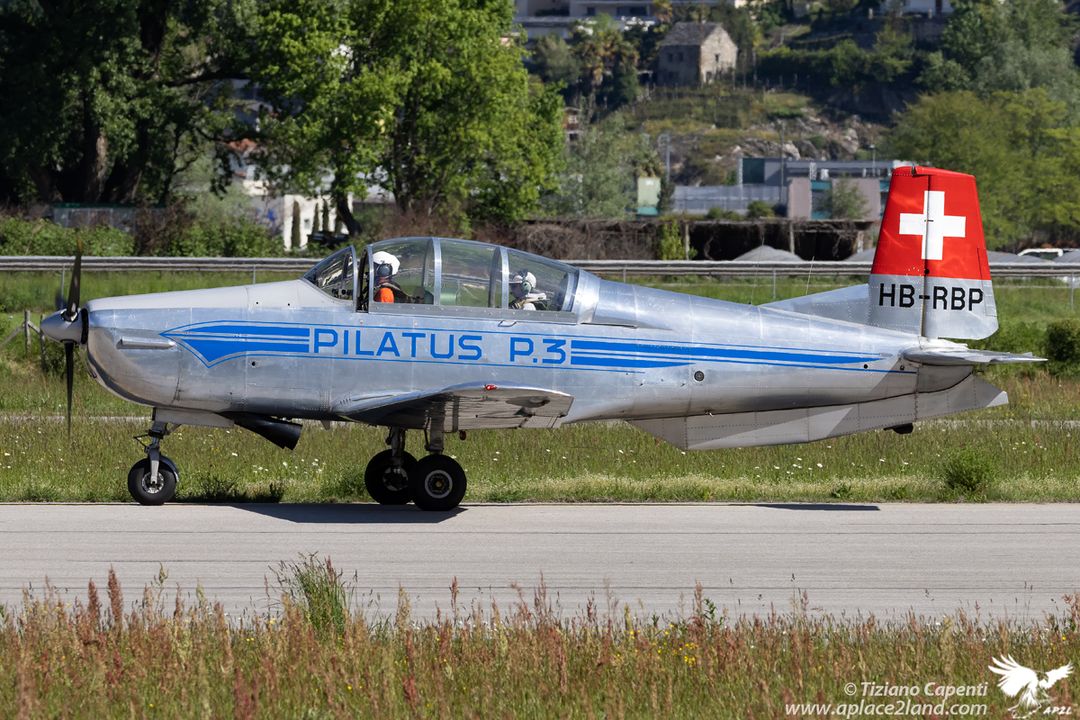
x: 427, y: 100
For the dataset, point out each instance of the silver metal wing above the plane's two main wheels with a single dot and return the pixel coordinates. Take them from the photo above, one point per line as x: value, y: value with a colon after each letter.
x: 463, y: 407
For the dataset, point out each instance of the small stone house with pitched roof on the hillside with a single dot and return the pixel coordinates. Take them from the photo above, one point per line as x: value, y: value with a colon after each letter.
x: 695, y: 55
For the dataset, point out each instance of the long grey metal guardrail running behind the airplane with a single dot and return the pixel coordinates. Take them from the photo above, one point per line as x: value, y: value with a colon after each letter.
x: 624, y: 268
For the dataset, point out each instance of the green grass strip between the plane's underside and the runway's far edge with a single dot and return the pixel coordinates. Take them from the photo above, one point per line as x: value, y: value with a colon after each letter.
x: 1034, y: 461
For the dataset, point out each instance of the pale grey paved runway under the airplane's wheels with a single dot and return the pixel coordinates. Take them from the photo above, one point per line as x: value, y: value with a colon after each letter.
x: 1014, y: 562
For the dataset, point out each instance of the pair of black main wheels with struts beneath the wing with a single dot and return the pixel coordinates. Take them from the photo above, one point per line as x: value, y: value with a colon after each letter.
x: 394, y: 478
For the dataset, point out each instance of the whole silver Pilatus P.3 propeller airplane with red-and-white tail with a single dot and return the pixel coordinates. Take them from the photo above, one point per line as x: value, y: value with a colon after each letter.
x: 443, y: 336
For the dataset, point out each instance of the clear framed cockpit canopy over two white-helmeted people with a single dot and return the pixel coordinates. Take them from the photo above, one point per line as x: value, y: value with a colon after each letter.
x: 449, y: 274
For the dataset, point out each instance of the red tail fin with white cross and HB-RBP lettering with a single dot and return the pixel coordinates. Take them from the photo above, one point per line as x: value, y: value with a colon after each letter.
x: 930, y: 274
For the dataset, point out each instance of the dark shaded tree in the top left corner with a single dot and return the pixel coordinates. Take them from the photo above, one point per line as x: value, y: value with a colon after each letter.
x: 109, y: 102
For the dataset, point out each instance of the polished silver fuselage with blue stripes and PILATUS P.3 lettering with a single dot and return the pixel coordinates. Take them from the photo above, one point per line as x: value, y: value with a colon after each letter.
x: 623, y: 352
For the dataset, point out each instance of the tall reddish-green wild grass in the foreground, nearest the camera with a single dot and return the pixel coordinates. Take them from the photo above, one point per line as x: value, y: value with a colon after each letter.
x: 524, y: 661
